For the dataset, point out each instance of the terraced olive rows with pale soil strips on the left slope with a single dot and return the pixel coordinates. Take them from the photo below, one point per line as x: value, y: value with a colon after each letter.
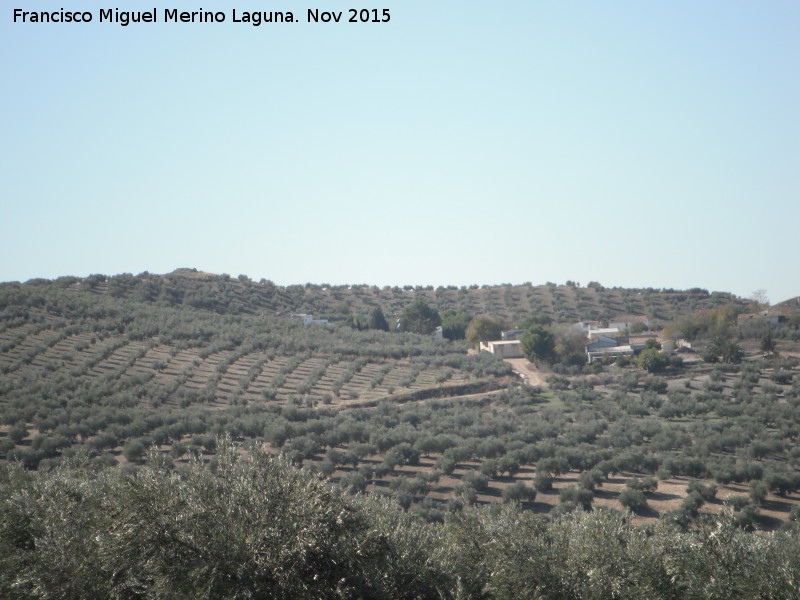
x: 218, y: 379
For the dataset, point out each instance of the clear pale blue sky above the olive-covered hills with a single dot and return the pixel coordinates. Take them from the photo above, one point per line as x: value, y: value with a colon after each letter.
x: 634, y: 144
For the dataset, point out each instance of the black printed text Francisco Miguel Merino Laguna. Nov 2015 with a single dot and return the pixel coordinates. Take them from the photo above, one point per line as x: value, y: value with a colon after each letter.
x: 173, y: 15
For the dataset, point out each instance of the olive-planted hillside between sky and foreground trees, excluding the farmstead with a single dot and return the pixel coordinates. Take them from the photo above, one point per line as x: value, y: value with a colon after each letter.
x: 112, y: 367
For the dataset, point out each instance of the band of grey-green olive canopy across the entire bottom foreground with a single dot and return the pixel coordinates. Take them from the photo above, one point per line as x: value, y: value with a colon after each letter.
x: 255, y: 527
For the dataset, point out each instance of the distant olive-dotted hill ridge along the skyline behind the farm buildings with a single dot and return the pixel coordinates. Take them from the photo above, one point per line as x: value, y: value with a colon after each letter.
x: 513, y: 303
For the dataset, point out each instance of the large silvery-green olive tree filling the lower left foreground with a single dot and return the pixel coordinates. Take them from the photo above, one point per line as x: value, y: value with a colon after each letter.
x: 253, y: 529
